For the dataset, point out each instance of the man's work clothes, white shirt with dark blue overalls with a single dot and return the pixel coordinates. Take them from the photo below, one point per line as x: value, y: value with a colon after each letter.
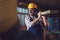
x: 36, y: 29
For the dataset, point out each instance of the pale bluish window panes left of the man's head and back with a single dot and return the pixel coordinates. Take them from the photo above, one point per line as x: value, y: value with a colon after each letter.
x: 22, y: 13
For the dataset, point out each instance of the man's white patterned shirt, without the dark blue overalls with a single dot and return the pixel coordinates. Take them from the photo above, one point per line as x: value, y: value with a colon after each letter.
x: 29, y: 23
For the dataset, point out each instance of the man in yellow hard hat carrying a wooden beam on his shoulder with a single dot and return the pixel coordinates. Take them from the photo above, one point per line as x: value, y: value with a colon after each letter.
x: 35, y: 22
